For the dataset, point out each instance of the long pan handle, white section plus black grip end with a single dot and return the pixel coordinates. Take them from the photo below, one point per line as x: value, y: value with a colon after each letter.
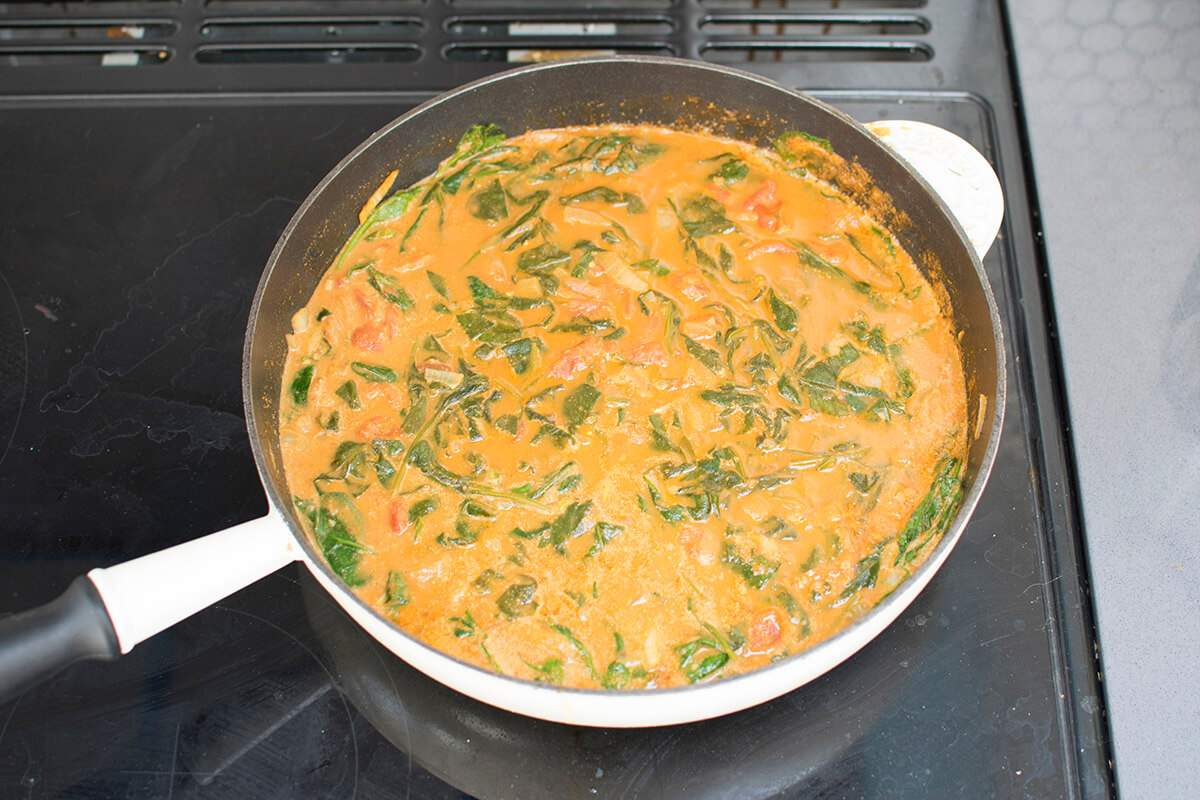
x: 109, y: 611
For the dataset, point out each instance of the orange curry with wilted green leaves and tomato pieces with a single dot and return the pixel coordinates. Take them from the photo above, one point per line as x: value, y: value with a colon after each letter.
x: 623, y: 407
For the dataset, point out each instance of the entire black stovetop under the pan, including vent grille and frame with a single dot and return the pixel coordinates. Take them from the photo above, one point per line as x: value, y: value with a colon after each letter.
x: 143, y: 184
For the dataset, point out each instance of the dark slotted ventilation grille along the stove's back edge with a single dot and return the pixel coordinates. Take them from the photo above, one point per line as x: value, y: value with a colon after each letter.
x: 275, y: 45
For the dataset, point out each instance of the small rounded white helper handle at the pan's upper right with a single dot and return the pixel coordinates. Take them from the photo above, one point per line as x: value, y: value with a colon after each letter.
x: 958, y: 172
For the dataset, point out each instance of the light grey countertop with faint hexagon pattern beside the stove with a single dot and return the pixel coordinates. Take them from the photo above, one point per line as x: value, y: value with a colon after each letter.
x: 1112, y: 94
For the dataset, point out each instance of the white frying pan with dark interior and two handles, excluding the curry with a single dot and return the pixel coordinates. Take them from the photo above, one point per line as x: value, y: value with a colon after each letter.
x: 112, y: 610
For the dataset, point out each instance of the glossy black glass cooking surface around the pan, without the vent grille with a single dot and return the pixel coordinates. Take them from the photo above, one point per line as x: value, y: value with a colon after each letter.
x: 134, y: 238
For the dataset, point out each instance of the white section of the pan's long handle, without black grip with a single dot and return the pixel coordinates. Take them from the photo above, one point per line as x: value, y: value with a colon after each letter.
x: 153, y: 593
